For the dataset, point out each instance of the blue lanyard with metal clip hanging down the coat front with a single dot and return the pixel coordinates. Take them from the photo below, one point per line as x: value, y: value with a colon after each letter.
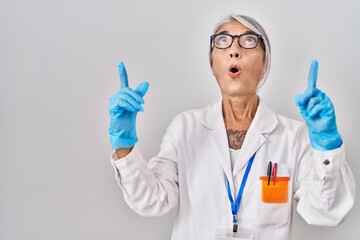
x: 235, y: 206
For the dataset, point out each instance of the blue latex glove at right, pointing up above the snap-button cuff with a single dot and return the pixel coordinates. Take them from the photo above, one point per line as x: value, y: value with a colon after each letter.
x: 318, y: 112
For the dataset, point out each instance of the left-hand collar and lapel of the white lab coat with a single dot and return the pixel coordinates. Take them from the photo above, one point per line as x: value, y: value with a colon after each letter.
x: 213, y: 120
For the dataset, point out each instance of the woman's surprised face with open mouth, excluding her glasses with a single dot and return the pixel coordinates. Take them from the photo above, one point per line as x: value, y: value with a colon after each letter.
x: 248, y: 62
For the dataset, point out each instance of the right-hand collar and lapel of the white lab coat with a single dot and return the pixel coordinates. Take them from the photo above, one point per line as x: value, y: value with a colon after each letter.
x: 264, y: 122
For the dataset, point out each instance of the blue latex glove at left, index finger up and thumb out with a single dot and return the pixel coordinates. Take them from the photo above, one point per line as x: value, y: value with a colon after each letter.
x: 124, y: 107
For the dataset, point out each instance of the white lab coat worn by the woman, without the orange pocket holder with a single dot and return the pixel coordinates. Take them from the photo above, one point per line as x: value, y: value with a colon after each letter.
x: 189, y: 173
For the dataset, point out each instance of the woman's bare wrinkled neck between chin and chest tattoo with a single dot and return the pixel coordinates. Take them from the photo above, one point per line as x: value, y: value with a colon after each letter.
x: 239, y: 109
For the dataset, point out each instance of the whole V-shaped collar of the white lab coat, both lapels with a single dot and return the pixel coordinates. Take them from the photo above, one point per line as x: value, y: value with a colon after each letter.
x: 264, y: 122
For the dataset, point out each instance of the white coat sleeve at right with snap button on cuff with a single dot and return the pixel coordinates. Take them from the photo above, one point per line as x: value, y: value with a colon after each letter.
x: 325, y: 186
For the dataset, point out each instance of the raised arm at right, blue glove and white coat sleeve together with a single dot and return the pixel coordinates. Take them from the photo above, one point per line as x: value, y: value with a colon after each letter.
x: 325, y: 186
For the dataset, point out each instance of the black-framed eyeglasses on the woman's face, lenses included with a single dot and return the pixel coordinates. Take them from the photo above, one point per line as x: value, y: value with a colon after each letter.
x: 225, y: 40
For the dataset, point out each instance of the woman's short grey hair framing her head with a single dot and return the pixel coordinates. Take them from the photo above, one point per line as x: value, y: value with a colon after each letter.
x: 257, y: 28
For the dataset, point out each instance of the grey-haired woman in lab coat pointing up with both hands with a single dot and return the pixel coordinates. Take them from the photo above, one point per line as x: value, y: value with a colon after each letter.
x: 233, y: 167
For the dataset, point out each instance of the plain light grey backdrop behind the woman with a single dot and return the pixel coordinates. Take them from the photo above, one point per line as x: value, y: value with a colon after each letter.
x: 58, y: 69
